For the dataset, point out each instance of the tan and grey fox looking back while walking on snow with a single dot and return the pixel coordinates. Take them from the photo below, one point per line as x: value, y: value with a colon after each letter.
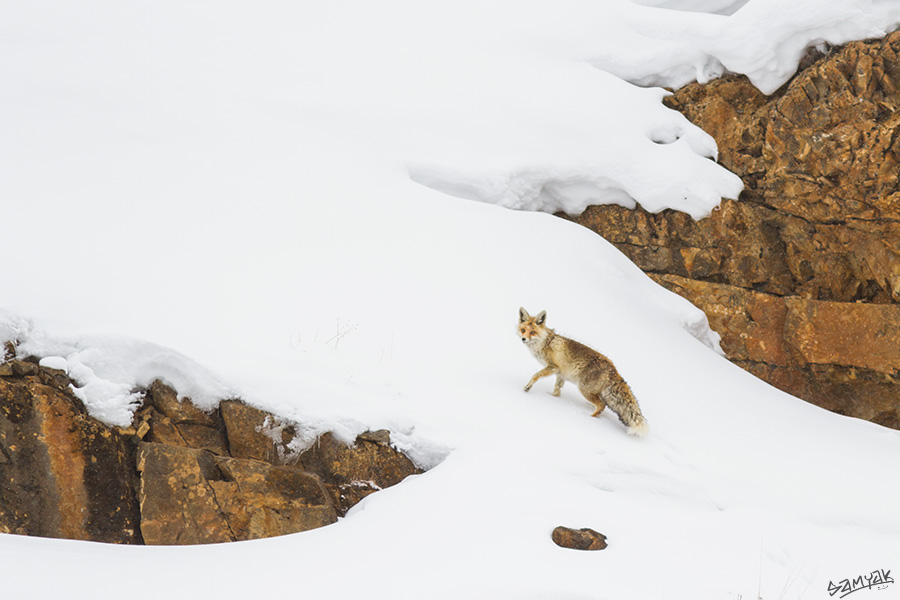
x: 594, y: 374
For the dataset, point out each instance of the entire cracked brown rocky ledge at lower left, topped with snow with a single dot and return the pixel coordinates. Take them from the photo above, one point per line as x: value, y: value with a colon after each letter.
x: 178, y: 475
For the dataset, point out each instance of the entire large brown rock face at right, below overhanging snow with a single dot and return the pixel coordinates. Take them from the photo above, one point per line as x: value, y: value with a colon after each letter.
x: 801, y: 276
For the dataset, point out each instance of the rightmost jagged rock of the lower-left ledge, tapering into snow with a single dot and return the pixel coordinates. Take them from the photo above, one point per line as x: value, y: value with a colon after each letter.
x: 353, y: 472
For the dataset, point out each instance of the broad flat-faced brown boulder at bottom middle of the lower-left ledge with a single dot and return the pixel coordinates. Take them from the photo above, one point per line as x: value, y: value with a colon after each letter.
x: 191, y: 496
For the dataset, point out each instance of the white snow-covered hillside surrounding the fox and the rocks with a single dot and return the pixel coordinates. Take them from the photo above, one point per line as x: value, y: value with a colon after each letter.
x: 307, y: 205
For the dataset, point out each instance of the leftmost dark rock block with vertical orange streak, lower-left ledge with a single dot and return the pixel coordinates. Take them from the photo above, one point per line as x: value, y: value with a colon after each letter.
x: 62, y: 473
